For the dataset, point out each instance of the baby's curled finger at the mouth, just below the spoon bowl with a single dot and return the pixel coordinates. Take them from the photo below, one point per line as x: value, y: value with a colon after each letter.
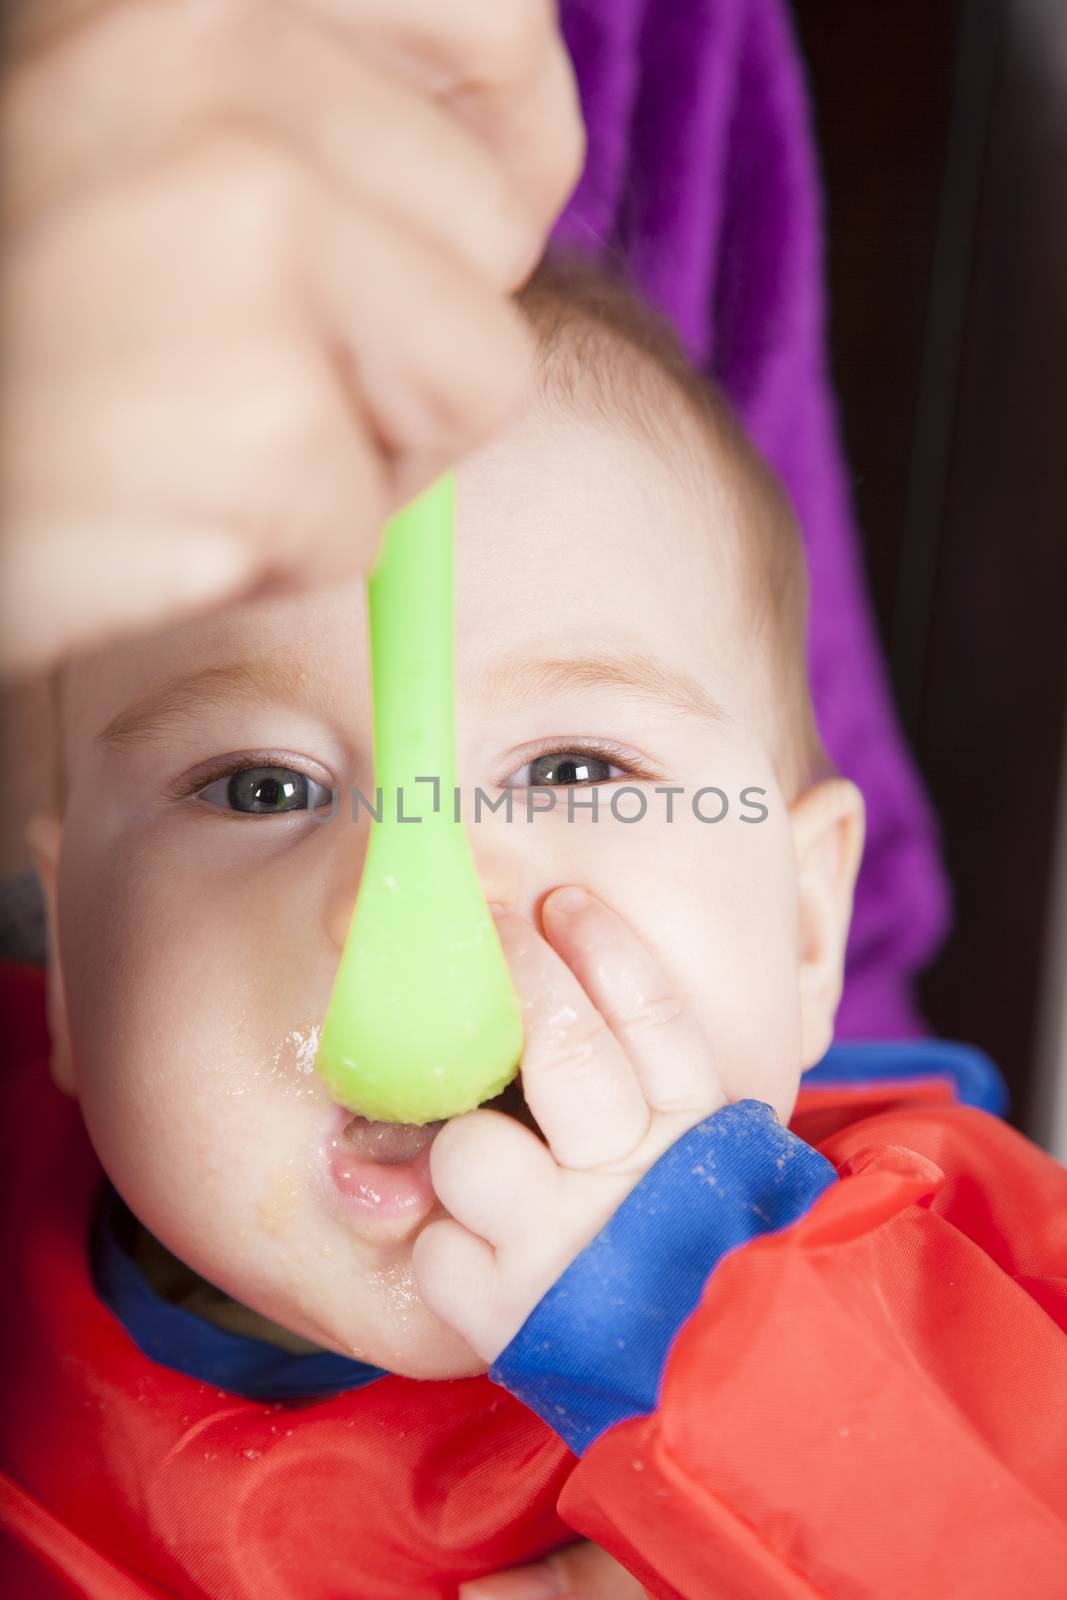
x: 489, y: 1170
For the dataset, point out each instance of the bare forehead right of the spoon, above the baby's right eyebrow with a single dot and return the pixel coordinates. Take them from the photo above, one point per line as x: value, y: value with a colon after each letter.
x: 578, y: 518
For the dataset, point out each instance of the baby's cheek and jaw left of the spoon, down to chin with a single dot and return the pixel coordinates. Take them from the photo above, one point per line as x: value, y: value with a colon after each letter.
x: 194, y: 1002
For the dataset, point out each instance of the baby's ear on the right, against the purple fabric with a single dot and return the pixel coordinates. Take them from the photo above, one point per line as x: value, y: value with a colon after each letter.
x: 828, y: 825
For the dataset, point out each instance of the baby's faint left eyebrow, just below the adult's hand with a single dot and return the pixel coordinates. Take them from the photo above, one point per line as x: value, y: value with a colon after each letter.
x: 273, y: 678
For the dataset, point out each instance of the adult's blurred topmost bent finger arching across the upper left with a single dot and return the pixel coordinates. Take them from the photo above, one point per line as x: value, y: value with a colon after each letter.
x: 378, y: 138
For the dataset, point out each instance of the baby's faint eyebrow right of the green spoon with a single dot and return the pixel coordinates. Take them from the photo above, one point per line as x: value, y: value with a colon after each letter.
x: 521, y: 678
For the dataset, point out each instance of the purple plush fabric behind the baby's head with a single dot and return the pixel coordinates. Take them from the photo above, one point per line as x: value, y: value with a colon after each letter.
x: 703, y: 175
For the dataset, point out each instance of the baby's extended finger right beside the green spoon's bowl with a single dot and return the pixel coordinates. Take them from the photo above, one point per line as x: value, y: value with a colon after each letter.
x: 577, y: 1078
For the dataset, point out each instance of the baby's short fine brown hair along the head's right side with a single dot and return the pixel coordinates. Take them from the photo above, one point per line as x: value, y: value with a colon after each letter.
x: 591, y: 324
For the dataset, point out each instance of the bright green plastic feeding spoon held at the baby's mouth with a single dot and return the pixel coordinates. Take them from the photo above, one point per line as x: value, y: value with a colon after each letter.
x: 425, y: 1022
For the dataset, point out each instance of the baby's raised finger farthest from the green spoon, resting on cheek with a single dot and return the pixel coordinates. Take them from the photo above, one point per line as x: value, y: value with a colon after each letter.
x: 655, y: 1026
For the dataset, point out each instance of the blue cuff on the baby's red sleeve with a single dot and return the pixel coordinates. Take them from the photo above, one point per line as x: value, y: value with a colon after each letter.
x: 594, y: 1348
